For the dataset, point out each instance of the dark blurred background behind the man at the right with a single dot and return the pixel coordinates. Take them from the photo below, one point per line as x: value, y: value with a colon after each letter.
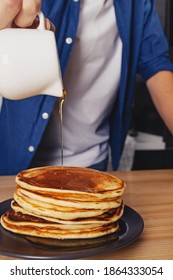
x: 153, y: 141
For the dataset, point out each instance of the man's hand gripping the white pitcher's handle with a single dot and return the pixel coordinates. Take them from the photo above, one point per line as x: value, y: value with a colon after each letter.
x: 21, y: 13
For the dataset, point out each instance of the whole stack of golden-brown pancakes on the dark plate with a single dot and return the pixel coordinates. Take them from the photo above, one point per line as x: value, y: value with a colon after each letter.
x: 65, y: 203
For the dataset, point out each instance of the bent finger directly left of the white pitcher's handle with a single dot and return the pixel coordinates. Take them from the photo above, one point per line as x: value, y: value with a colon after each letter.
x: 27, y: 14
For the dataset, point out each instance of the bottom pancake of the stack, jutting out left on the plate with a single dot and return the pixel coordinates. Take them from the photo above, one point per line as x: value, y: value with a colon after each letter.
x: 26, y: 224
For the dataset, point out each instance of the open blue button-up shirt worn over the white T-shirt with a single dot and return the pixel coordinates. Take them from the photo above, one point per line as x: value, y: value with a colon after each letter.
x: 145, y: 51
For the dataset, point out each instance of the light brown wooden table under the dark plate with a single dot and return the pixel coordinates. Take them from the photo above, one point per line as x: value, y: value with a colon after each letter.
x: 150, y: 193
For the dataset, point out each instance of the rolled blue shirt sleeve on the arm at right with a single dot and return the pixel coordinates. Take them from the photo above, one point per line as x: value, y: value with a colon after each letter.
x: 154, y: 51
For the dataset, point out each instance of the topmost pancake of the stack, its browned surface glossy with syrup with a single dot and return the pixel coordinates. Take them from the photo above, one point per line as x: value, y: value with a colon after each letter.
x: 67, y: 178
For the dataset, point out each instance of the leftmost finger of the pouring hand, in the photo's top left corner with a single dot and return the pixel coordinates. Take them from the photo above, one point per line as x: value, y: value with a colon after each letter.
x: 8, y: 11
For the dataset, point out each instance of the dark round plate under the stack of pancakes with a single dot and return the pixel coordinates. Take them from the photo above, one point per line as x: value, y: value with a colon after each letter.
x: 14, y: 245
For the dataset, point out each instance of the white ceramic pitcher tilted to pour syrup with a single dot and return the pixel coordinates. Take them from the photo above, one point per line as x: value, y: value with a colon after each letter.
x: 29, y: 62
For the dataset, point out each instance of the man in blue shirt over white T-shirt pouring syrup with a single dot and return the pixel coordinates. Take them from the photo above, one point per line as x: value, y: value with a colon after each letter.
x: 102, y: 44
